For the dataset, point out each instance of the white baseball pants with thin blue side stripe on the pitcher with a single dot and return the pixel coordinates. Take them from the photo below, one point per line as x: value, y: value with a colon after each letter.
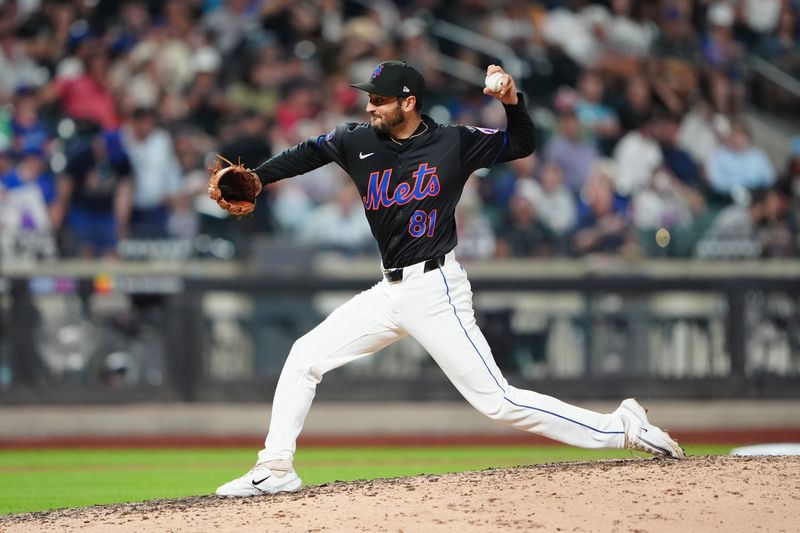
x: 435, y: 308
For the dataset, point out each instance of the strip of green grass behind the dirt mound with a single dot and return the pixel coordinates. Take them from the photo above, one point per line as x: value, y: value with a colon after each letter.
x: 37, y: 480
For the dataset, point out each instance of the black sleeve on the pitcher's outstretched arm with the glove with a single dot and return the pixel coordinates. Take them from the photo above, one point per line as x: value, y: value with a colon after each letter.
x: 306, y: 156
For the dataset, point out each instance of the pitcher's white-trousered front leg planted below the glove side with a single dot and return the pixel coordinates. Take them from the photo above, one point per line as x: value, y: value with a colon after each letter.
x: 358, y: 328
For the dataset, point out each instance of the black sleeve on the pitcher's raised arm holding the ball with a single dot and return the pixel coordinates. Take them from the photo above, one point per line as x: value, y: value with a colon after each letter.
x: 483, y: 147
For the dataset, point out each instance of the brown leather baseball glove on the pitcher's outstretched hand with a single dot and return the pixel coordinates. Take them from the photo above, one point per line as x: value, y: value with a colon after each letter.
x: 234, y: 187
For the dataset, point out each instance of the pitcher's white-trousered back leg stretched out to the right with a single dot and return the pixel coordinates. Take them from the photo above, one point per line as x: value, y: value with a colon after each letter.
x: 445, y: 326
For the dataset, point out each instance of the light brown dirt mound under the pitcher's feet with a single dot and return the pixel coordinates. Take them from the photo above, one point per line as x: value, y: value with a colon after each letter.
x: 699, y: 494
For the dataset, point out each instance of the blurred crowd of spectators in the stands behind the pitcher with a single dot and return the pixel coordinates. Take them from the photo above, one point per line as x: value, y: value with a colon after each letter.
x: 111, y: 112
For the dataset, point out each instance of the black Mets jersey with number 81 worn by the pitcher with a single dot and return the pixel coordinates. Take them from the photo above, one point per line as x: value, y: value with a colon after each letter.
x: 409, y: 187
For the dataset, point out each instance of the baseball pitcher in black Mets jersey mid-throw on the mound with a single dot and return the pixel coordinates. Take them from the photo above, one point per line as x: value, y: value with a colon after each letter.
x: 410, y: 172
